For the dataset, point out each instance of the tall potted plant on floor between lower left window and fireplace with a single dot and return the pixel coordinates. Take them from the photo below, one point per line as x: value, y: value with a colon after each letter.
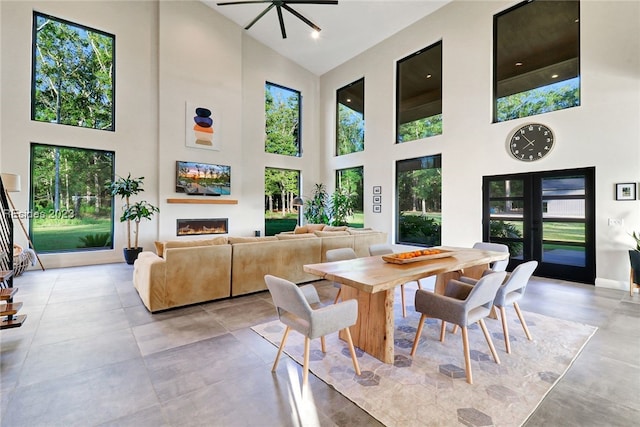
x: 125, y: 188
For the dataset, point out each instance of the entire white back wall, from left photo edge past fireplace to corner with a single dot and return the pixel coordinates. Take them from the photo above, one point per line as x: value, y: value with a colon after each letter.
x: 167, y: 53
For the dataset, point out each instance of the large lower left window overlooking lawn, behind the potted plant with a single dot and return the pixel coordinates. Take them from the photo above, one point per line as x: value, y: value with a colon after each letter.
x: 70, y: 207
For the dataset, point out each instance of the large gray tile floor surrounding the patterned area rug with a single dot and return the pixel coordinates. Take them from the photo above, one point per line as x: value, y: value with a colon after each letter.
x: 90, y: 354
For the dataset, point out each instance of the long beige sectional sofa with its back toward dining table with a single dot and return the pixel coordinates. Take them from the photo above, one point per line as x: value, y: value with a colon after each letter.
x: 188, y: 272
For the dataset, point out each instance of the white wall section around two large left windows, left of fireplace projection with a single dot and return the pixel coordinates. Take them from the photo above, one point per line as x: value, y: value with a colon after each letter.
x: 135, y: 27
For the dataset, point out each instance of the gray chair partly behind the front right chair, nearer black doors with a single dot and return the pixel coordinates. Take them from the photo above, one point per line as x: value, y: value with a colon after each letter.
x: 511, y: 292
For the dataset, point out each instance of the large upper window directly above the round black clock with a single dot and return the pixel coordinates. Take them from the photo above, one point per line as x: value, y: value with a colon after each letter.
x: 537, y: 58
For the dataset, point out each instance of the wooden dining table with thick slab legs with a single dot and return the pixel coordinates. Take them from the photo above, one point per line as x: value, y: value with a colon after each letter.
x: 372, y: 281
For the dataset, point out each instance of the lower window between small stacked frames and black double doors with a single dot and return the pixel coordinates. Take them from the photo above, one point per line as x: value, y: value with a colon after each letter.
x: 419, y: 195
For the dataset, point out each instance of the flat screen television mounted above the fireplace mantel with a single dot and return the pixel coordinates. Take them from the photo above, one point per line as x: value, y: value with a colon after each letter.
x: 203, y: 179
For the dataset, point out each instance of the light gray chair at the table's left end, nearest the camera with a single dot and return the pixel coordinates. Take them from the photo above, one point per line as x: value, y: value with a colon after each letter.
x: 299, y: 309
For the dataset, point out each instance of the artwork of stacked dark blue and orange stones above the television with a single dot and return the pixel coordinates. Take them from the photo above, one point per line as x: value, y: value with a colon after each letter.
x: 202, y: 126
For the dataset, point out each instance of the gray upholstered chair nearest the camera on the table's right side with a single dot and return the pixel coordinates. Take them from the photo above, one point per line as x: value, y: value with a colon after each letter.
x: 462, y: 304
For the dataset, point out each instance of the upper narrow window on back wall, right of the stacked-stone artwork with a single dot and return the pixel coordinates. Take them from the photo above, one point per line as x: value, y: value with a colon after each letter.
x: 282, y: 115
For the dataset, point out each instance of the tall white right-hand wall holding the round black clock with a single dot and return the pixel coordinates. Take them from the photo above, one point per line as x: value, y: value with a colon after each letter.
x: 603, y: 132
